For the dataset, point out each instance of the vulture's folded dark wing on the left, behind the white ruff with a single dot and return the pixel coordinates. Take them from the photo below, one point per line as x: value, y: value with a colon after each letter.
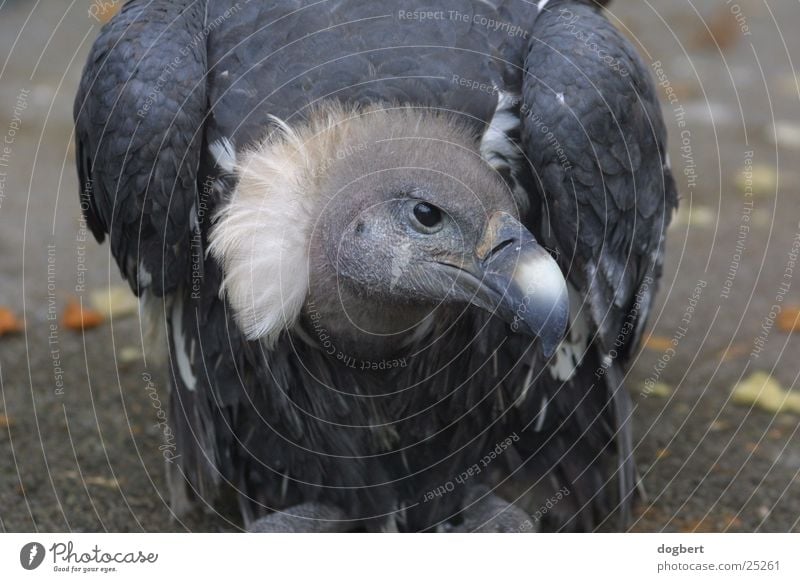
x: 139, y: 116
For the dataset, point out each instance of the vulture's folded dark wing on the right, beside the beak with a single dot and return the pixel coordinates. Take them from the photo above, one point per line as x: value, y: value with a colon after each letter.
x: 607, y: 195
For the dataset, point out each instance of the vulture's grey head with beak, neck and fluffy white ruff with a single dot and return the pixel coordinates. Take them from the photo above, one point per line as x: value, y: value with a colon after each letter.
x: 371, y: 223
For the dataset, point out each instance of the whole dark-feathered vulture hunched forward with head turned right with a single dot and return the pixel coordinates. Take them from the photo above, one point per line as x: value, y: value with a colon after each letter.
x: 400, y: 253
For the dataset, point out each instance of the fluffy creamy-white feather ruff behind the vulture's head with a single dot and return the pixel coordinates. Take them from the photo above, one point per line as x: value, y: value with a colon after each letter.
x: 261, y: 236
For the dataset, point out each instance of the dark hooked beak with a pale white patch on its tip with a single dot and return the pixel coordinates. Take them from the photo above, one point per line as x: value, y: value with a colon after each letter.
x: 512, y: 276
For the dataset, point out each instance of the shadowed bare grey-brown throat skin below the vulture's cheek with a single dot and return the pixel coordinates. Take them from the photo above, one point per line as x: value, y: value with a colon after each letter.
x: 348, y: 325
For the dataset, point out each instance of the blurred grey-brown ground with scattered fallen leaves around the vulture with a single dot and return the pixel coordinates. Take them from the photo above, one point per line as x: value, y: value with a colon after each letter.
x: 78, y: 441
